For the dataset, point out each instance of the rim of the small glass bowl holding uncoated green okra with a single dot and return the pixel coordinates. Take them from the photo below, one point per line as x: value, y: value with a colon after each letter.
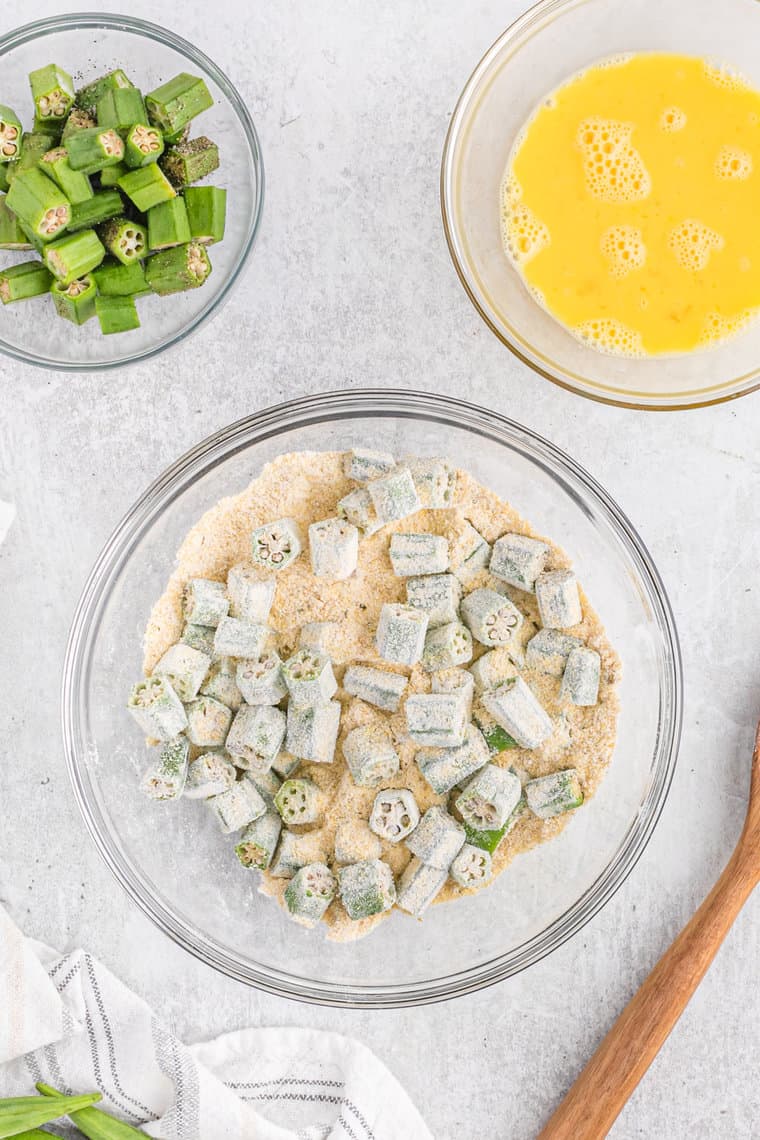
x: 135, y: 26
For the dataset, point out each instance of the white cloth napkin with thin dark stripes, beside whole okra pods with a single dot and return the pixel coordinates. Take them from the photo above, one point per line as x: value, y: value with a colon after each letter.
x: 68, y: 1021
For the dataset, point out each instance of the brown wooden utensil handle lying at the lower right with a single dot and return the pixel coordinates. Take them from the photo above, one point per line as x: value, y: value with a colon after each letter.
x: 593, y: 1104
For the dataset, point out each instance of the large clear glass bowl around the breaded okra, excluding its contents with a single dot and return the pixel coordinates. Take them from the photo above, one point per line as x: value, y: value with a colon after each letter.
x: 177, y: 866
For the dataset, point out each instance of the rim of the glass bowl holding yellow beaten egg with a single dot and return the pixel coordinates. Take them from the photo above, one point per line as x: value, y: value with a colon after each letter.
x: 527, y: 23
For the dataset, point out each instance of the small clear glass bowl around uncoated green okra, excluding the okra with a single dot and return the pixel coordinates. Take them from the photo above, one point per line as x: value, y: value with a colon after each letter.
x: 87, y: 45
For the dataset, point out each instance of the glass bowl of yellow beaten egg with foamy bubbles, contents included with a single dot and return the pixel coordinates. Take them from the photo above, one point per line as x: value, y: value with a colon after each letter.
x: 600, y: 191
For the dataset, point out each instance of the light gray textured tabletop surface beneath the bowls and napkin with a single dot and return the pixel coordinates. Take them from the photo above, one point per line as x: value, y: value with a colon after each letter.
x: 352, y: 286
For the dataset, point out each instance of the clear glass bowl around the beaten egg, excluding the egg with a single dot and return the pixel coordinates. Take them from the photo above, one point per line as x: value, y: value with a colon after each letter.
x: 542, y: 50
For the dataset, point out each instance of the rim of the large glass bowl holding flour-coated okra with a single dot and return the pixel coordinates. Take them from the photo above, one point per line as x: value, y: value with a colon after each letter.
x: 206, y: 457
